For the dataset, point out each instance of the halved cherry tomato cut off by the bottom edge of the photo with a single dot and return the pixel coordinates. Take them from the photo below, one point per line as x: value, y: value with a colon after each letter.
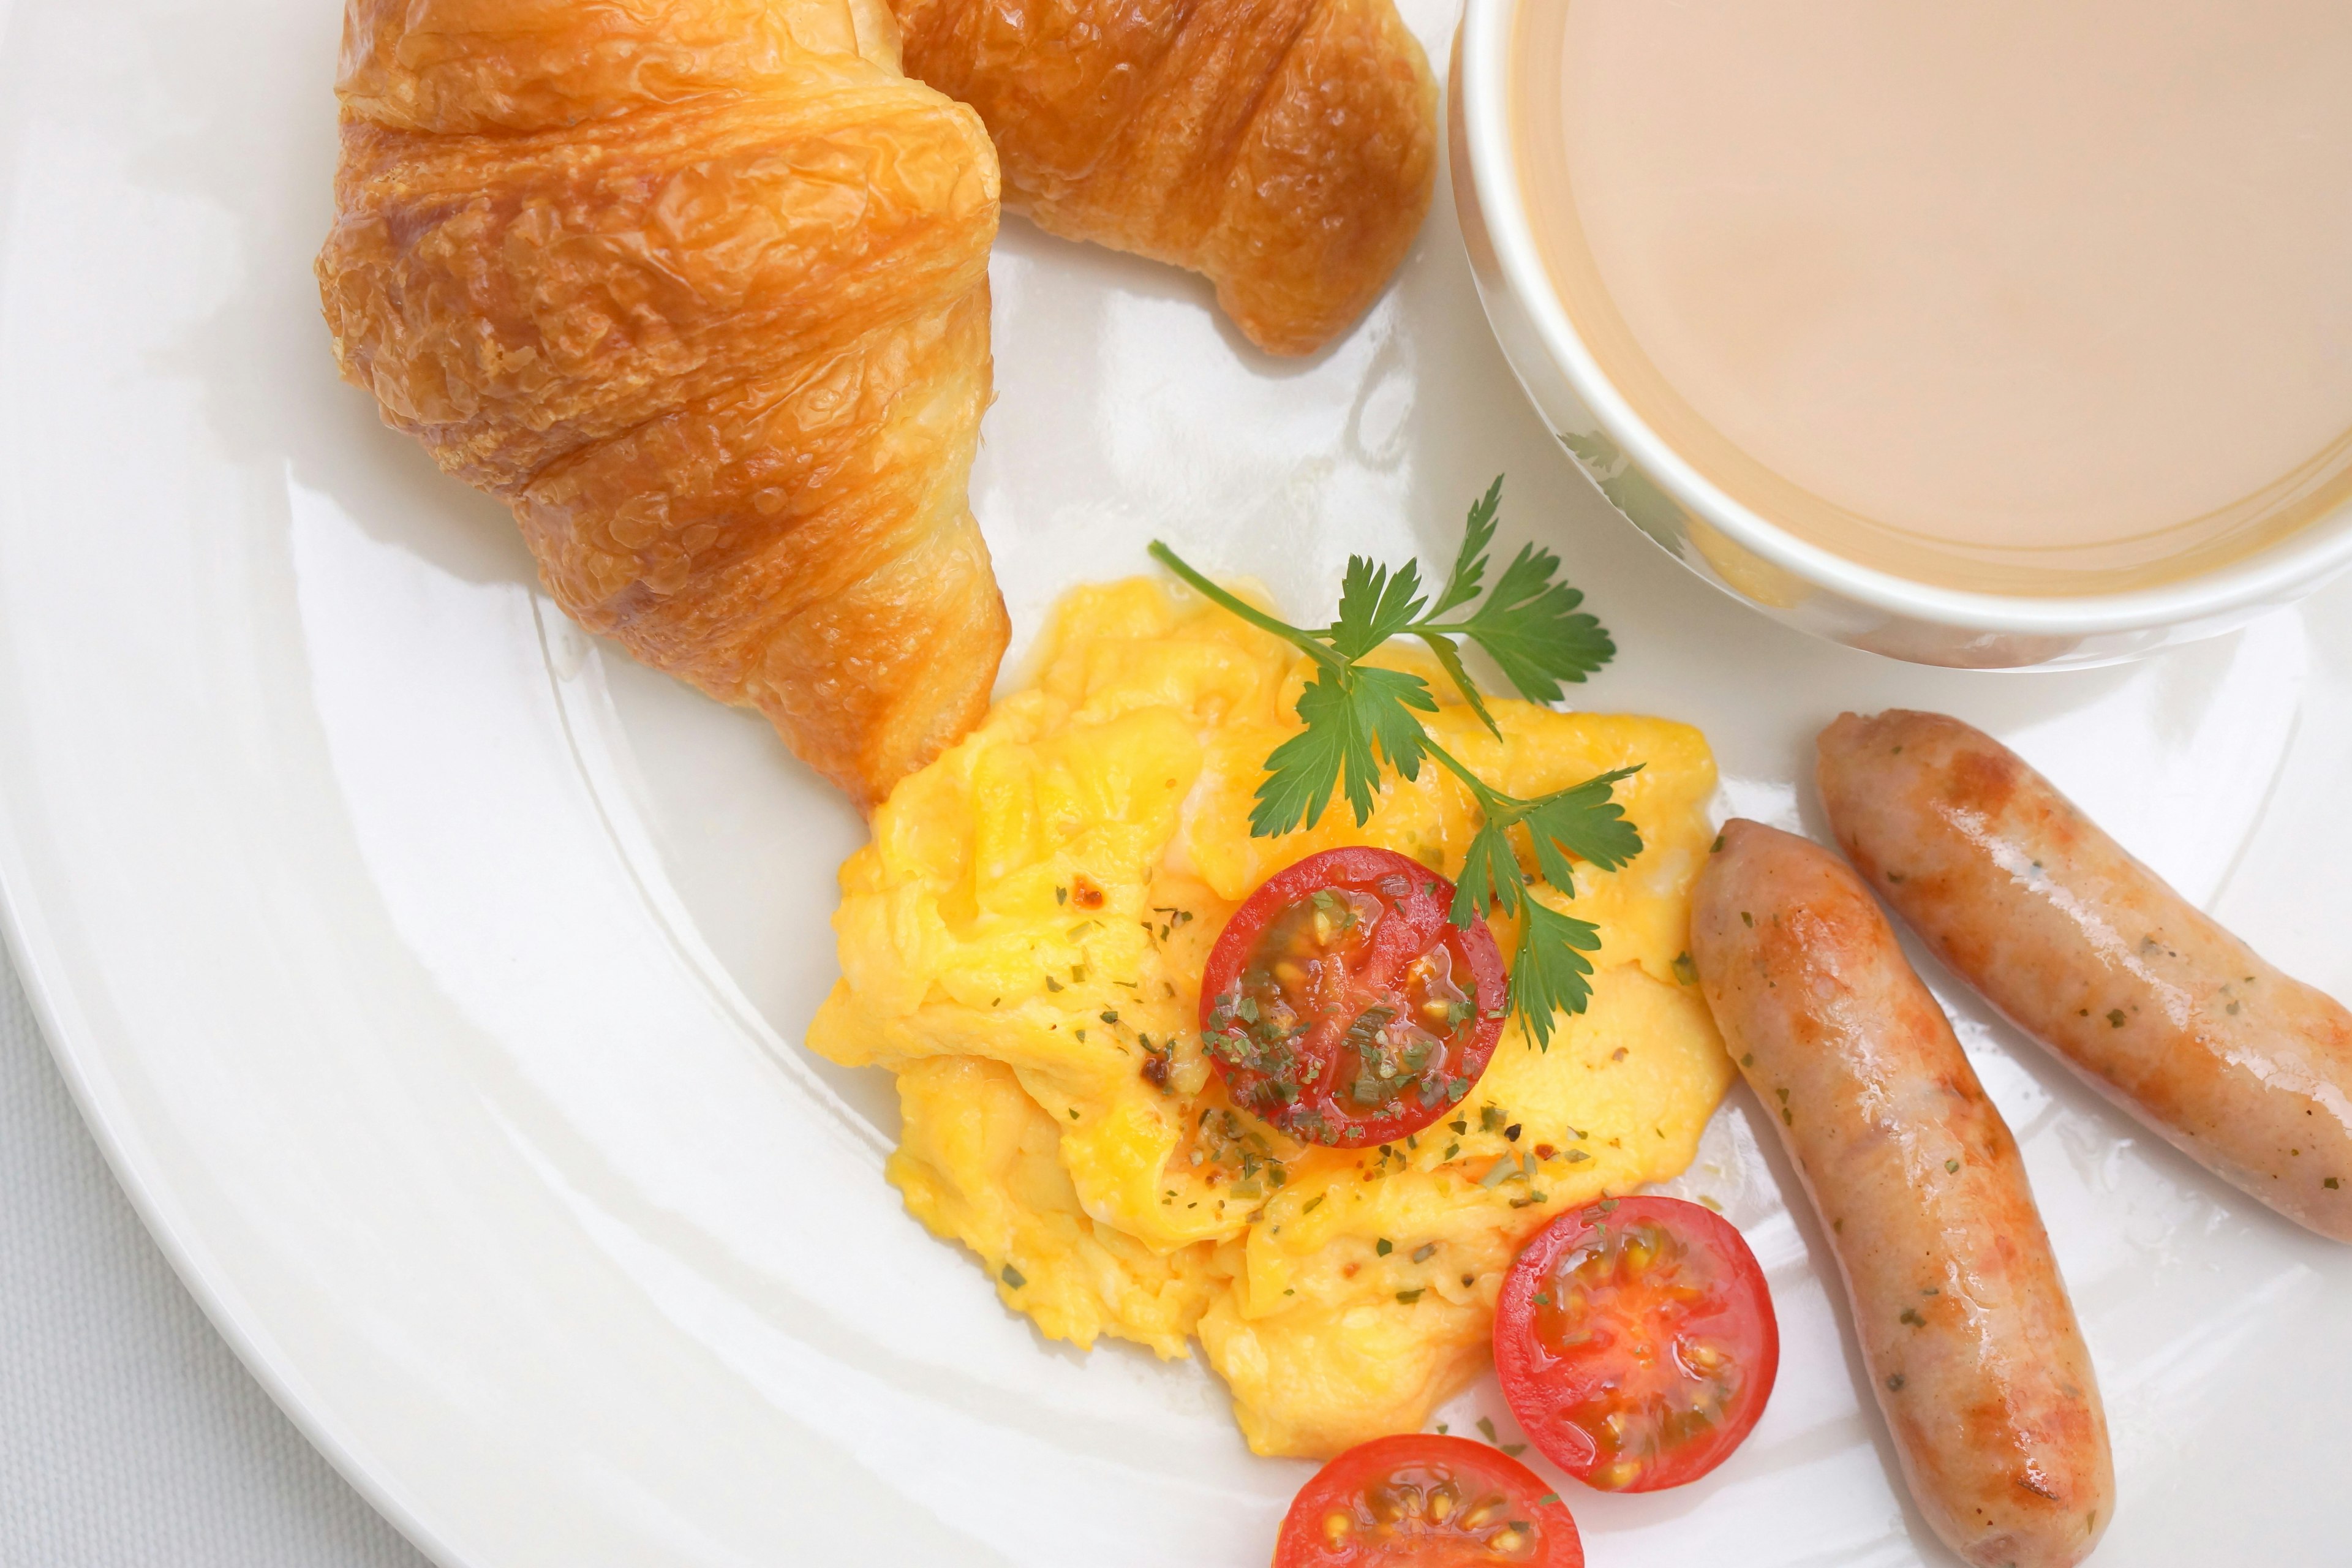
x: 1426, y: 1503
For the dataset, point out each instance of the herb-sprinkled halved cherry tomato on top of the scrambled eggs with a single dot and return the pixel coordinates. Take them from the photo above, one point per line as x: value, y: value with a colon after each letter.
x: 1344, y: 1007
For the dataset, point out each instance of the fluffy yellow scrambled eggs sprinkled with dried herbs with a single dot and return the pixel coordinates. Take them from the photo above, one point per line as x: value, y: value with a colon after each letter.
x: 1022, y: 946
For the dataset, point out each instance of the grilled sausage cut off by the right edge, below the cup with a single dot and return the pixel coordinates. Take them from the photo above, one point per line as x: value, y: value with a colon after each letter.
x: 2243, y: 1068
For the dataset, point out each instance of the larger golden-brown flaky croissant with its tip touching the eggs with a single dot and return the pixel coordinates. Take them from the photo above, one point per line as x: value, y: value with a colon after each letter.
x: 702, y: 290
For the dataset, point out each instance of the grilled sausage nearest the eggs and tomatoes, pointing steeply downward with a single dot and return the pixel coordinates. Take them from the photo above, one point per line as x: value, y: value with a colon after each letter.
x: 1972, y: 1346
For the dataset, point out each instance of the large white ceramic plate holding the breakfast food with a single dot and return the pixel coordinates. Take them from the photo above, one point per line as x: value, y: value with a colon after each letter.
x: 434, y: 977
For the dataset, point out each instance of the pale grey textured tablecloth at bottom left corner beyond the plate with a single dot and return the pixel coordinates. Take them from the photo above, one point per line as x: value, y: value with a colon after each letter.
x: 128, y: 1430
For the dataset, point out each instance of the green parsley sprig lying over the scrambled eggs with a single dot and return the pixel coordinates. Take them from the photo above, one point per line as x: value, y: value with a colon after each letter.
x: 1361, y: 718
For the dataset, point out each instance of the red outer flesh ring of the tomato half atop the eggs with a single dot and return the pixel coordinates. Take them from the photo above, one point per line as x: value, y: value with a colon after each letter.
x: 1426, y: 906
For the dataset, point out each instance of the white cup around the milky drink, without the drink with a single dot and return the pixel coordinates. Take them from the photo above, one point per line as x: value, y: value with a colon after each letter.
x: 1730, y: 544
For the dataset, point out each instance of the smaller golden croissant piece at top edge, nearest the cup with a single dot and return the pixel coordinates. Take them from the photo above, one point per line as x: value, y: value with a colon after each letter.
x: 1288, y: 149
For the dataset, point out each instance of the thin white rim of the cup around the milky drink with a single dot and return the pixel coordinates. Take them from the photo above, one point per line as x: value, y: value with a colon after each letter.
x: 2273, y: 575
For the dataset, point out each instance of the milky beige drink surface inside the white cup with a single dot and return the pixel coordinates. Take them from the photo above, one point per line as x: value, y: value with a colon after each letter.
x: 2038, y: 297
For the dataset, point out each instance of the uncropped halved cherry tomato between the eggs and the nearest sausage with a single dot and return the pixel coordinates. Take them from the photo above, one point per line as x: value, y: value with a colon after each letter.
x: 1636, y: 1343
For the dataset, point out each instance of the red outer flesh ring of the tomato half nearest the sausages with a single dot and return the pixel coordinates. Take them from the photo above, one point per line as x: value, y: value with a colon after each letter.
x: 1525, y: 1367
